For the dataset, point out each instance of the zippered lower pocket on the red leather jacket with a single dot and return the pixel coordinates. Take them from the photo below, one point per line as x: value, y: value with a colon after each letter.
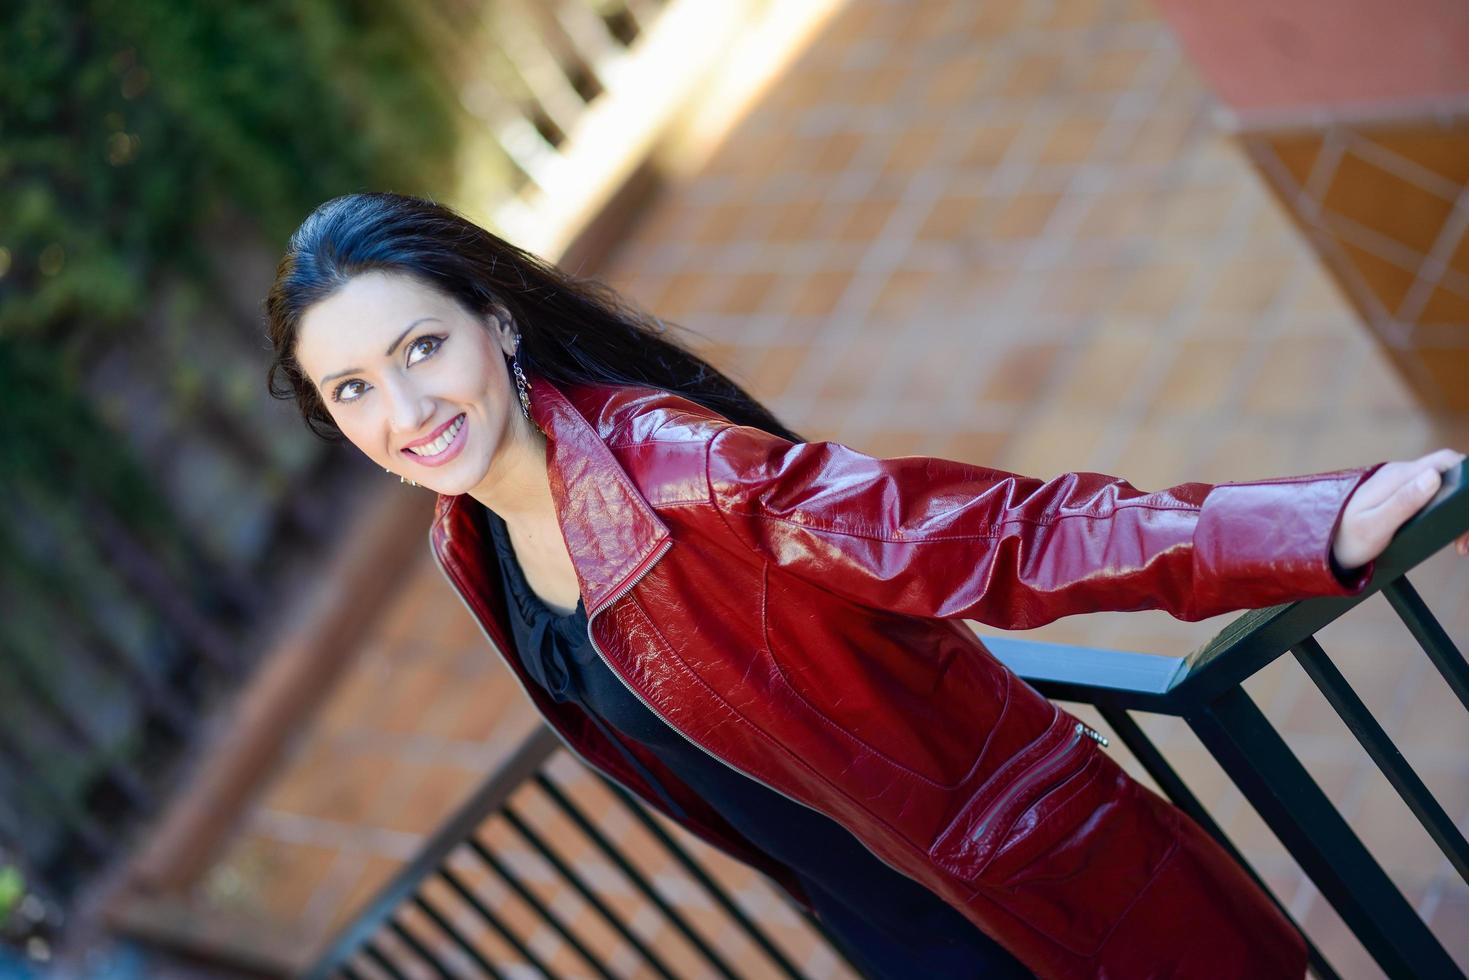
x: 1067, y: 846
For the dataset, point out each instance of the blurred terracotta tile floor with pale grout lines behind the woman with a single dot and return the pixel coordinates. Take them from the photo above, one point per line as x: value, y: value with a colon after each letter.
x: 1006, y: 233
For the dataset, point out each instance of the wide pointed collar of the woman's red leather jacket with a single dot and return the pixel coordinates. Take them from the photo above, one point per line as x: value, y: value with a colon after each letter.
x: 609, y: 527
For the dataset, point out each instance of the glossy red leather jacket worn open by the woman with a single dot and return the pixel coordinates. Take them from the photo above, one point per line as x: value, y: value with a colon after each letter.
x: 795, y: 612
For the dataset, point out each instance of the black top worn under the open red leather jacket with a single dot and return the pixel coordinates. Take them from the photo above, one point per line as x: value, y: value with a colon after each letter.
x: 897, y: 925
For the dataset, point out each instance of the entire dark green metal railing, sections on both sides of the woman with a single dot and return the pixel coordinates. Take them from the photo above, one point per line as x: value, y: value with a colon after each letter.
x: 1204, y: 688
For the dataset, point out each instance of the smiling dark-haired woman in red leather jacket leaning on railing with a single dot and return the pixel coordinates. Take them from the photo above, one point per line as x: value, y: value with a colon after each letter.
x: 760, y: 637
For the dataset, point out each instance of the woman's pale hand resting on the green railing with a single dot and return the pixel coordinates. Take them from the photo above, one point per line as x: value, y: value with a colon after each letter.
x: 1386, y: 502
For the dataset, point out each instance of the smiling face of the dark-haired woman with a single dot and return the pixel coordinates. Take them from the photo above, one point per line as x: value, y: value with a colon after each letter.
x: 412, y: 378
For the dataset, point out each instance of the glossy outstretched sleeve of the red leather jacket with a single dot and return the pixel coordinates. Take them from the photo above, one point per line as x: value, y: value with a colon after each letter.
x: 942, y: 538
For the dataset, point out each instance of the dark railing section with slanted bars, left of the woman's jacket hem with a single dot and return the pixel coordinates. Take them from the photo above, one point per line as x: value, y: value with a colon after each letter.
x: 465, y: 926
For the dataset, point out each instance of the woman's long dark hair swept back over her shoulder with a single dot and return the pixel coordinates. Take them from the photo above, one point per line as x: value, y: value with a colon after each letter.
x: 572, y: 330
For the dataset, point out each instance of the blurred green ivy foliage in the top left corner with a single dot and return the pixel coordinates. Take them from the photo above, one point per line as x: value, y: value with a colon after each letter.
x: 124, y: 123
